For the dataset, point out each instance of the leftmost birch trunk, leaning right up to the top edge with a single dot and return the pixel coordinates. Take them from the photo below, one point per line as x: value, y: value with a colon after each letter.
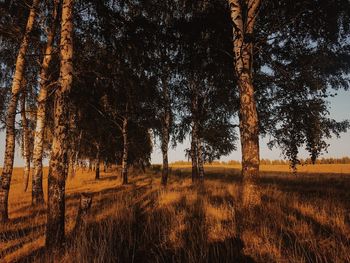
x: 11, y: 116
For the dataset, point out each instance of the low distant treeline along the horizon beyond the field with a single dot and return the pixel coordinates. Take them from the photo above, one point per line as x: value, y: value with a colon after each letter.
x: 343, y: 160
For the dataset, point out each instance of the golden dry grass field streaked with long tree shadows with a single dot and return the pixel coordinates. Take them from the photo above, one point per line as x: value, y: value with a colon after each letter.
x: 302, y: 218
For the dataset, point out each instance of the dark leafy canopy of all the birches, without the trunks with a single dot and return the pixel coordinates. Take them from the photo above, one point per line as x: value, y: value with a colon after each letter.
x: 127, y: 51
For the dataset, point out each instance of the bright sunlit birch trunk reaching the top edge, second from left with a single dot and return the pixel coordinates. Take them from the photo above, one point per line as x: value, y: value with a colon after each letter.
x: 37, y: 180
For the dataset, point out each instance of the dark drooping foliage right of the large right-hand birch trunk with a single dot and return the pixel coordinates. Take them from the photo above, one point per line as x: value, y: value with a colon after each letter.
x: 302, y: 56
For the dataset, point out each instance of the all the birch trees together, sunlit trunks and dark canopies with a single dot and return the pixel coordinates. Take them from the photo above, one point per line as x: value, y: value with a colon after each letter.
x: 165, y: 69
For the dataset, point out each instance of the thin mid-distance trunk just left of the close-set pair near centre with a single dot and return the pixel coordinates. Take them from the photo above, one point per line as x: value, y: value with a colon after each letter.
x: 166, y: 132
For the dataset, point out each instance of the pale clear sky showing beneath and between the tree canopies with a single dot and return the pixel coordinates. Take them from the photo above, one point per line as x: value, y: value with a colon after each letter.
x: 339, y: 147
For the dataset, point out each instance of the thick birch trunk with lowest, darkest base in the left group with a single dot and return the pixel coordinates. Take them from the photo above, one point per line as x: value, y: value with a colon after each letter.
x: 58, y: 162
